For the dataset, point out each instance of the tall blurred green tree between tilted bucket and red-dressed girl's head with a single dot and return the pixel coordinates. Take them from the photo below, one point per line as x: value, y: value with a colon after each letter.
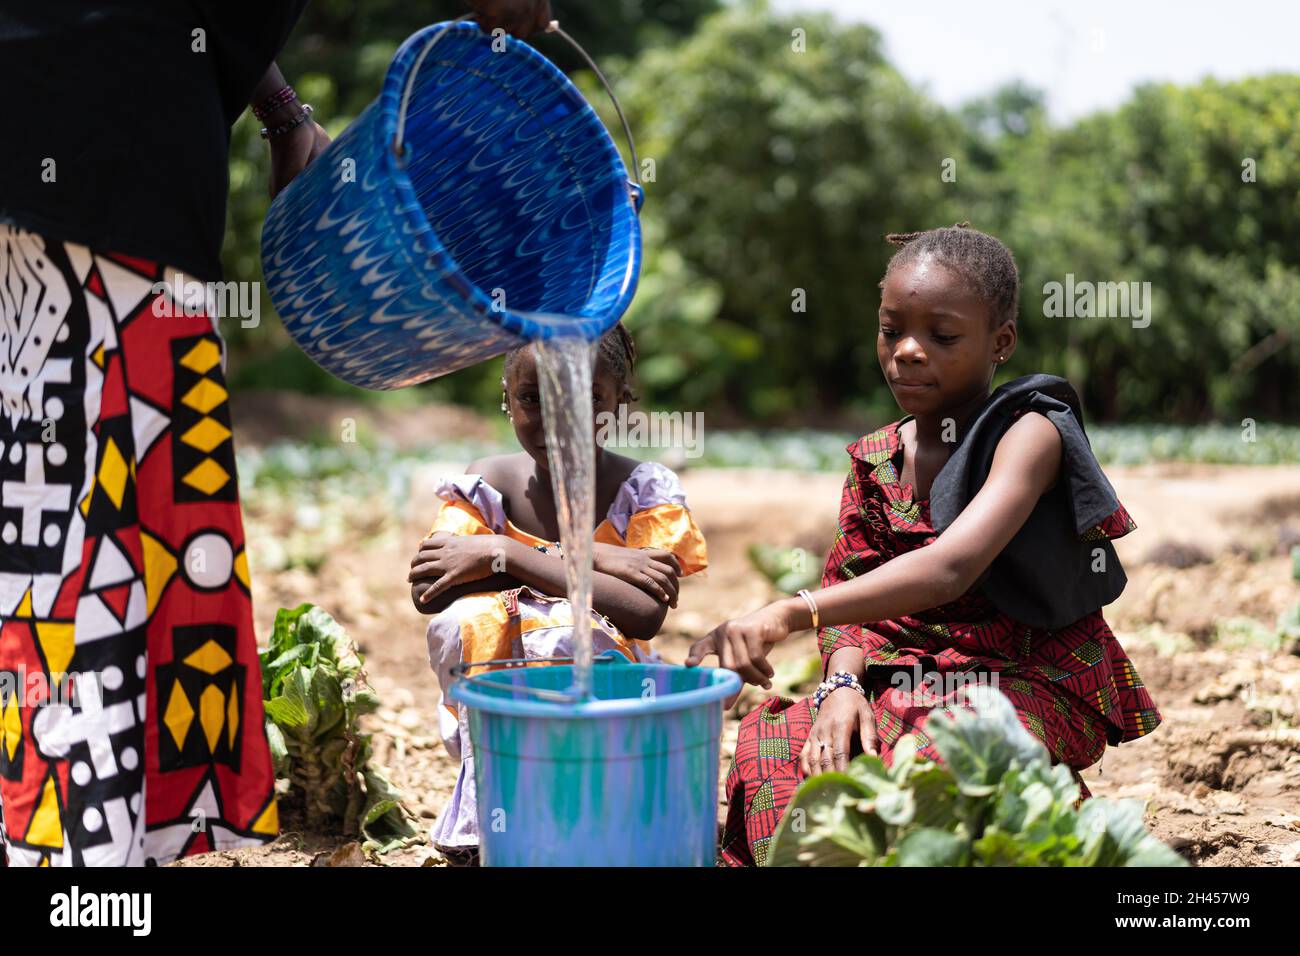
x: 785, y: 149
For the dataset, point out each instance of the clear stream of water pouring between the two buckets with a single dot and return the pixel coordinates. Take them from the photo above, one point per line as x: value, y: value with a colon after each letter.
x: 565, y: 371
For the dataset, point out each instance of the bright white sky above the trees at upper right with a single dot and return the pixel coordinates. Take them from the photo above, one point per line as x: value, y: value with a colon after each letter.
x: 1086, y: 57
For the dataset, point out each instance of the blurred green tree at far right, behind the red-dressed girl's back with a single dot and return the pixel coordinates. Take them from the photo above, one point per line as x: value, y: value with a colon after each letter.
x: 1159, y: 192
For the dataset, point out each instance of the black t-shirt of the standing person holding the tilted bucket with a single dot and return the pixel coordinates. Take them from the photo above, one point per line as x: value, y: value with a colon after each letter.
x: 116, y: 122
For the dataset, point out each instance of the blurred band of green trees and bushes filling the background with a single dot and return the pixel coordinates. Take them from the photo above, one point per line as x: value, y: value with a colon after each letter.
x: 779, y: 171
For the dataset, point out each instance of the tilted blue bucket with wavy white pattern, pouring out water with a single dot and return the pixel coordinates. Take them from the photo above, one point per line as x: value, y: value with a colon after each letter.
x: 478, y: 205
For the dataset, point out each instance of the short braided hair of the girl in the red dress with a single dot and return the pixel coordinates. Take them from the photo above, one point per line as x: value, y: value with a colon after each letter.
x: 982, y: 261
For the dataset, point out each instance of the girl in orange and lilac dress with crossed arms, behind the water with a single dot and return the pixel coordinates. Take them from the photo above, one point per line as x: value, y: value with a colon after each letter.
x: 493, y: 574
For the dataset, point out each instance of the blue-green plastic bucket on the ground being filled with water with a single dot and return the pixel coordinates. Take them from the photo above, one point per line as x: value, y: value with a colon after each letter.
x: 626, y: 780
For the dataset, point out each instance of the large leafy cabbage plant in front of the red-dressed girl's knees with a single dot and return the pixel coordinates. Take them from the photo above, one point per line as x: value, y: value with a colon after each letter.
x: 998, y: 801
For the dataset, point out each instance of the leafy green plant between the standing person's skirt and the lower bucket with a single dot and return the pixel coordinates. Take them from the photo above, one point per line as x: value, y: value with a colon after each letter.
x: 315, y: 694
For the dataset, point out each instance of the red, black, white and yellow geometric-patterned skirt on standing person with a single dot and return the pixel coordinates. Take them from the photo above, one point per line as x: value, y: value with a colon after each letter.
x: 132, y: 728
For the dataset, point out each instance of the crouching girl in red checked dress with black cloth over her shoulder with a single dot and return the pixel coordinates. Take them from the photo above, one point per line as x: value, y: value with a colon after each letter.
x: 908, y: 616
